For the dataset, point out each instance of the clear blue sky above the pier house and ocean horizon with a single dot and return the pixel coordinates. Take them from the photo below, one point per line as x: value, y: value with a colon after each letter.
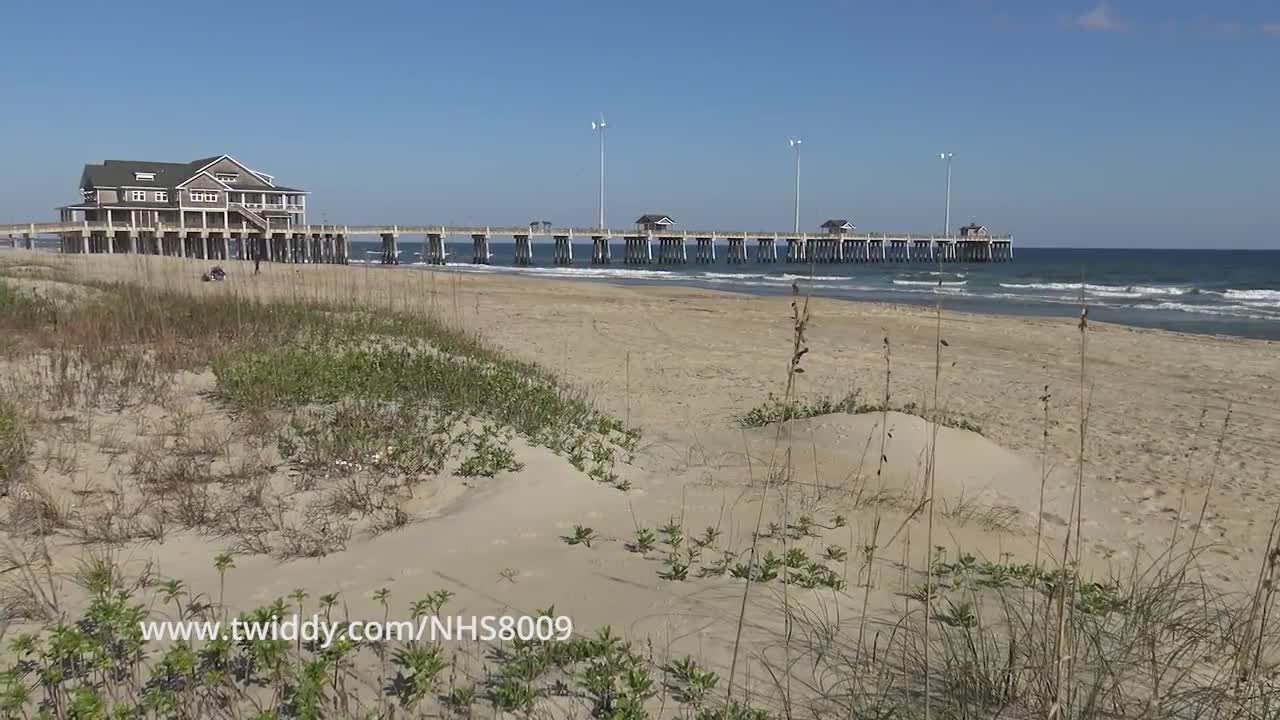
x: 1131, y: 124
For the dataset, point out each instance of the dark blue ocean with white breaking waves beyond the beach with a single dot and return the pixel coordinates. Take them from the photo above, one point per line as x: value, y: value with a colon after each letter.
x: 1232, y: 293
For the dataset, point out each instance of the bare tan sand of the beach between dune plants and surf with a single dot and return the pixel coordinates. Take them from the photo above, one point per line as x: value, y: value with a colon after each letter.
x: 1169, y: 420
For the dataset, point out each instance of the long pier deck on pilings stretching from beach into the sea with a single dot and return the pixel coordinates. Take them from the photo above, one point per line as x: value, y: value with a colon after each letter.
x: 331, y: 244
